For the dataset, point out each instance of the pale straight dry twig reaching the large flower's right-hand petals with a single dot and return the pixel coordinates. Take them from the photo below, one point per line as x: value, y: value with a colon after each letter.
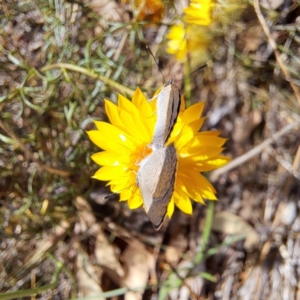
x: 253, y: 152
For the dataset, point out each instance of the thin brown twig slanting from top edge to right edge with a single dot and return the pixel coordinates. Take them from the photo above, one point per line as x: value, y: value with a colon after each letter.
x: 274, y: 47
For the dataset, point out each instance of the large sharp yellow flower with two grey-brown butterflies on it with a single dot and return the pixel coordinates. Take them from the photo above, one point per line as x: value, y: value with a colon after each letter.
x: 125, y: 143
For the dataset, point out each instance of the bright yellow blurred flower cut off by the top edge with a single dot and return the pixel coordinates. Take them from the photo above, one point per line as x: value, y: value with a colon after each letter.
x: 199, y: 12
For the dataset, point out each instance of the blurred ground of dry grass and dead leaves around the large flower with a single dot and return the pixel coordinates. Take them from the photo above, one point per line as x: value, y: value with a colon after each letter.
x: 61, y: 240
